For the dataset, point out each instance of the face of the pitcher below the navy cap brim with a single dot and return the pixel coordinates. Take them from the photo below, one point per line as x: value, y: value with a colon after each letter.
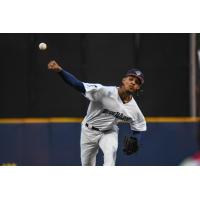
x: 131, y: 84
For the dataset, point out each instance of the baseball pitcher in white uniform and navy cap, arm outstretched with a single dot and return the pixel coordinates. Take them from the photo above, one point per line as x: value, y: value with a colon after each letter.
x: 108, y: 106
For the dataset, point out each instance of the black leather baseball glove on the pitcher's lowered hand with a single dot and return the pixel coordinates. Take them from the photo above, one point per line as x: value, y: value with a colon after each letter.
x: 130, y: 145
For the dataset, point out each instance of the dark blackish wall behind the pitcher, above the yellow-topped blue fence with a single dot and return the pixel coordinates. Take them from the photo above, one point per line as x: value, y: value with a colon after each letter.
x: 29, y: 90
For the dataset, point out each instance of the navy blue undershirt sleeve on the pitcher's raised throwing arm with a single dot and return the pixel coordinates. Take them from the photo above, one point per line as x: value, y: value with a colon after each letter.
x: 72, y: 81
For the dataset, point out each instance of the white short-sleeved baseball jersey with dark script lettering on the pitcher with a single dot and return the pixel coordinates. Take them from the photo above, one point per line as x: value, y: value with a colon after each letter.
x: 106, y: 109
